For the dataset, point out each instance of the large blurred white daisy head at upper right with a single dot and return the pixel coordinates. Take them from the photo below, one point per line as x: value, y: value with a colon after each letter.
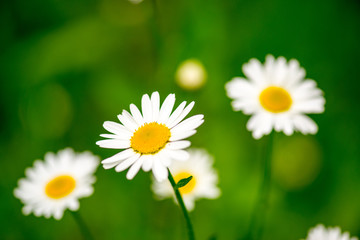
x: 277, y: 96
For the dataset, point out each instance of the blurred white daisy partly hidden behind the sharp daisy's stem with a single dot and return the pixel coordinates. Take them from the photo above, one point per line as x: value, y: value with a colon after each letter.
x: 202, y: 185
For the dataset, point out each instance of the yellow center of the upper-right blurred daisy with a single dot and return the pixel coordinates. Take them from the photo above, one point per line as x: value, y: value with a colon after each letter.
x: 275, y: 99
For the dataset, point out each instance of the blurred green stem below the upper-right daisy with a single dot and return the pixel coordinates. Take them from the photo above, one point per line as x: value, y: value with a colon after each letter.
x: 258, y: 219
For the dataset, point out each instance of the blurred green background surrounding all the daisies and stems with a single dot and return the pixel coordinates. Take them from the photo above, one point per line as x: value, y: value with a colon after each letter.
x: 67, y: 66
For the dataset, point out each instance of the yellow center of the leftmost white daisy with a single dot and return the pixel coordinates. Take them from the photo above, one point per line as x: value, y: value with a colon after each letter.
x: 60, y: 186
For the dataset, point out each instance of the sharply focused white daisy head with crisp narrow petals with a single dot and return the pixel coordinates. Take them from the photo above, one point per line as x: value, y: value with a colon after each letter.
x: 150, y: 140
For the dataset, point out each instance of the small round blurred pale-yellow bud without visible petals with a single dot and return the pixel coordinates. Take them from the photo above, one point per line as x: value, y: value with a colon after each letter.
x: 191, y: 74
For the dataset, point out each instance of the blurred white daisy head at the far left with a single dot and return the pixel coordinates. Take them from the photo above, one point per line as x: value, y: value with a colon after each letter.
x: 53, y: 185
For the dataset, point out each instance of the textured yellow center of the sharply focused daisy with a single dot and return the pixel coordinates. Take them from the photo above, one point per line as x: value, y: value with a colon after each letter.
x: 150, y: 138
